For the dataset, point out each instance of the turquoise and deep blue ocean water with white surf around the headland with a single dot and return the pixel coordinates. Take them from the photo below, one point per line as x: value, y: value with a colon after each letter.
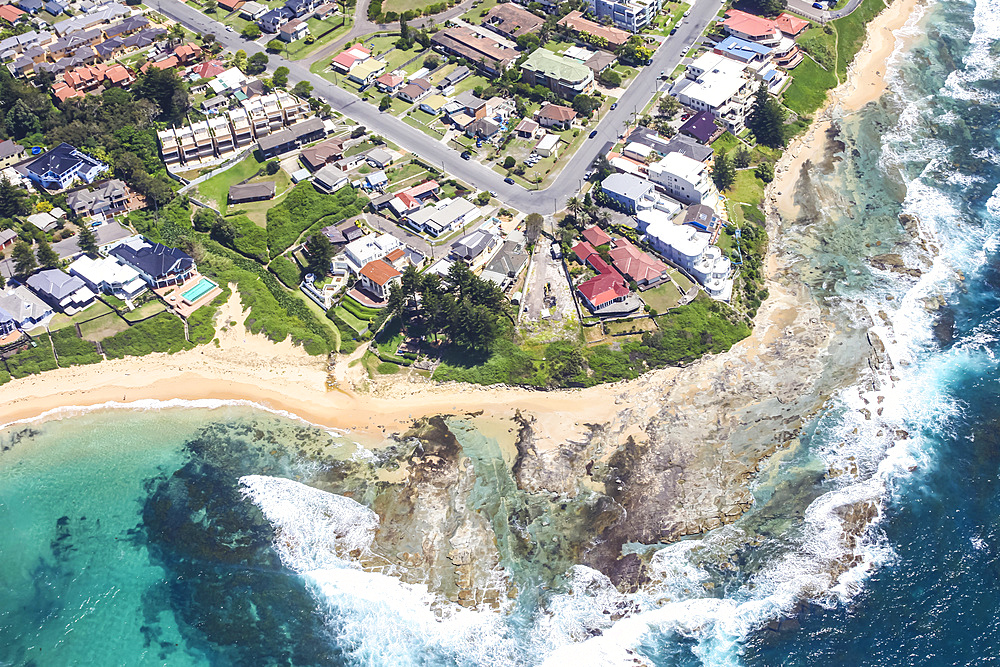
x: 223, y: 534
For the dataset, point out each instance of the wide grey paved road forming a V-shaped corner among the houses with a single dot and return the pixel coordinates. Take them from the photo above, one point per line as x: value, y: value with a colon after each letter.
x: 546, y: 201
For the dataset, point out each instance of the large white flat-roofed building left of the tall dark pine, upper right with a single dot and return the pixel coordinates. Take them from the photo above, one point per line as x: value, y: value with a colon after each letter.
x: 720, y: 85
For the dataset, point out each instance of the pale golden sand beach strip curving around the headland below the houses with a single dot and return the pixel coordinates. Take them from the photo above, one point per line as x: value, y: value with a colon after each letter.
x: 279, y: 376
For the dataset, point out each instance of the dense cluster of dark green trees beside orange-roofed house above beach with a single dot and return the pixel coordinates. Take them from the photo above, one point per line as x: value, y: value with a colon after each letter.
x: 461, y: 308
